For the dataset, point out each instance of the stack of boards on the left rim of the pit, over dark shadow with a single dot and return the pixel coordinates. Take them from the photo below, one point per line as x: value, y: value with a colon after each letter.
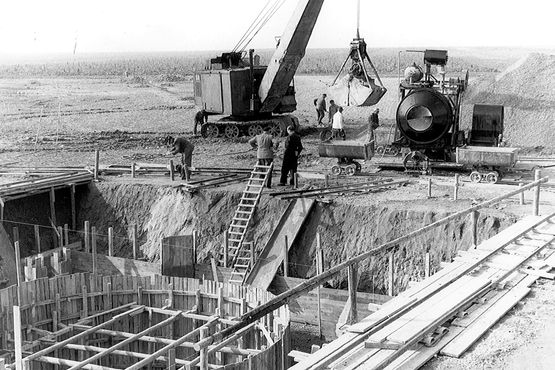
x: 21, y: 189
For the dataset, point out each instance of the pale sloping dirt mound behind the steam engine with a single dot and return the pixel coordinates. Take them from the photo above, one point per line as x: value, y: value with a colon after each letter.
x: 526, y: 90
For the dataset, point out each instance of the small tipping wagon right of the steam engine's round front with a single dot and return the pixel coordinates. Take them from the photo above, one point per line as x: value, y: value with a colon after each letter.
x: 488, y: 163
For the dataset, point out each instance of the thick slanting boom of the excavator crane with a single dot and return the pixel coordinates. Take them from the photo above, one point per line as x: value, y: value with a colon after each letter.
x: 288, y: 54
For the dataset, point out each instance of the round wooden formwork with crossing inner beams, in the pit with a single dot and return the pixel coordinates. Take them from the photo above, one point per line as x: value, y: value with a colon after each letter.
x: 90, y: 315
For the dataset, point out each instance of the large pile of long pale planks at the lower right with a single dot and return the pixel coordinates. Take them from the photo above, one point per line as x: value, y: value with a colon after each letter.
x: 449, y: 311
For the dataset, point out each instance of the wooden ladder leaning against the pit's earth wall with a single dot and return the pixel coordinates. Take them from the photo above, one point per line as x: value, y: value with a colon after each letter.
x: 239, y: 252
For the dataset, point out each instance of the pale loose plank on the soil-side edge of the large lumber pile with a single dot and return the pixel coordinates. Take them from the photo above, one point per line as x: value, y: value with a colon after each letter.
x: 475, y: 330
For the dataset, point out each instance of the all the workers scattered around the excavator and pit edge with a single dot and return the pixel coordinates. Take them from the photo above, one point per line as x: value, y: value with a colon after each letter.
x: 265, y: 144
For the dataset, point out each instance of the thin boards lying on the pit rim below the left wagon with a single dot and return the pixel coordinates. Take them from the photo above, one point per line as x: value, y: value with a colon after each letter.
x: 345, y: 189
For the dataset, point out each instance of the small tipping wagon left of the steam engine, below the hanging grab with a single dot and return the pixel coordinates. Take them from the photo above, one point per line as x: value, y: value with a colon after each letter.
x: 346, y: 152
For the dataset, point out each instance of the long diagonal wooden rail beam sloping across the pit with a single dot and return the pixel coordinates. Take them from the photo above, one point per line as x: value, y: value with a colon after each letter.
x: 310, y: 284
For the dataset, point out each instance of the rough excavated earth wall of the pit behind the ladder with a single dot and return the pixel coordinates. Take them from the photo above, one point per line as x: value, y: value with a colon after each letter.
x: 346, y: 230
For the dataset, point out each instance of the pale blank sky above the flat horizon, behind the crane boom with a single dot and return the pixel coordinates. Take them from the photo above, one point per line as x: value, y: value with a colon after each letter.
x: 47, y: 26
